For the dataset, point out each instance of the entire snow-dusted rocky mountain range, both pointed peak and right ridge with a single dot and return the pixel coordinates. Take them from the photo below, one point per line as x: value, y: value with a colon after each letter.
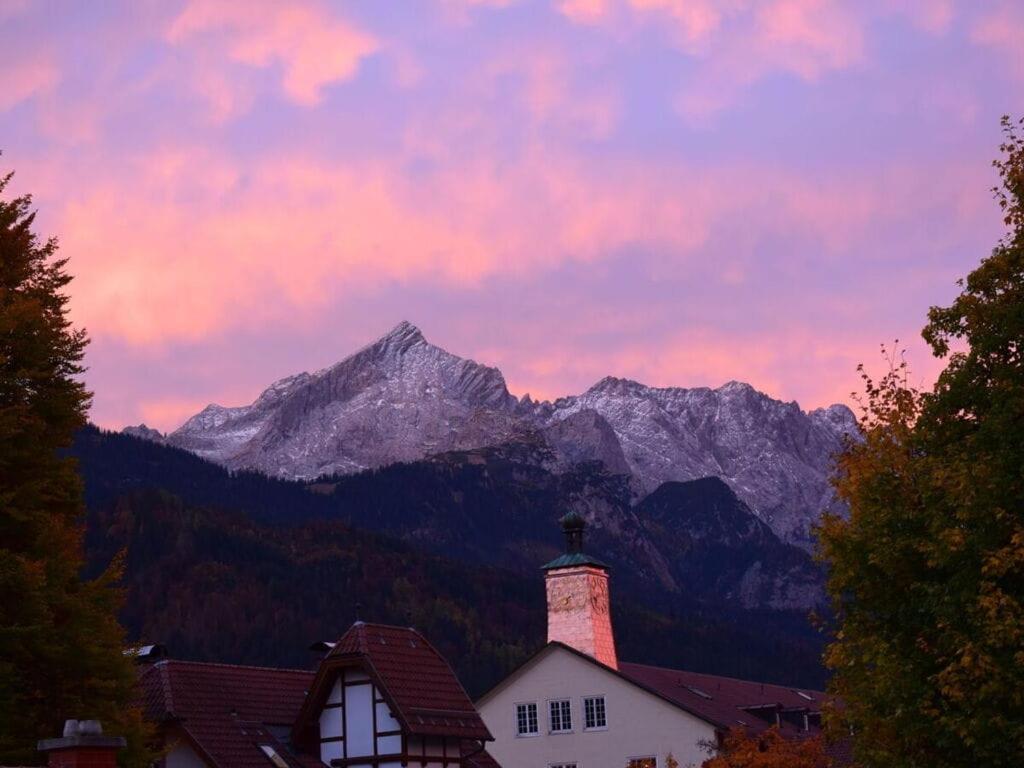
x: 402, y: 399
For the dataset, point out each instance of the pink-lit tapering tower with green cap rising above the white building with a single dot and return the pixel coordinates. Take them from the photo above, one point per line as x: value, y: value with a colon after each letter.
x: 579, y: 614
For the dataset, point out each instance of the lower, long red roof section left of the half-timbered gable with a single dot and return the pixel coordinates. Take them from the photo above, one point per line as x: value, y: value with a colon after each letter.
x: 224, y: 710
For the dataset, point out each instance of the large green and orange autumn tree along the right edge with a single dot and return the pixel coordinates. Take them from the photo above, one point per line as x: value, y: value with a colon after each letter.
x: 927, y: 574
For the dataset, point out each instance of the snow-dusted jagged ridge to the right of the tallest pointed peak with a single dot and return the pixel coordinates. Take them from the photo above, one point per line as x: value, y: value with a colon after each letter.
x: 776, y: 457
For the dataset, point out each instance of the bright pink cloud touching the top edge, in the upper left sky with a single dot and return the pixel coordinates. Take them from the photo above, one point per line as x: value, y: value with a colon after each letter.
x: 313, y: 48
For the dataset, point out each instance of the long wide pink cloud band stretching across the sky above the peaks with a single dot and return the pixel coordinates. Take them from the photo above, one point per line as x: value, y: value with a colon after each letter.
x: 192, y: 251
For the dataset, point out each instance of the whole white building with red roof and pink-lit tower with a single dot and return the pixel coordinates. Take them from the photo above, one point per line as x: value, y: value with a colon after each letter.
x: 574, y: 705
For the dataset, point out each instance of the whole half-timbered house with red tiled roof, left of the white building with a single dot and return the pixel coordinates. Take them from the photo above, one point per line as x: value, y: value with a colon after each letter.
x: 382, y: 698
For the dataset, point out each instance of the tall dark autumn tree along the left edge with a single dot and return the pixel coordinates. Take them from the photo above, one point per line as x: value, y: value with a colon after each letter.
x: 61, y: 645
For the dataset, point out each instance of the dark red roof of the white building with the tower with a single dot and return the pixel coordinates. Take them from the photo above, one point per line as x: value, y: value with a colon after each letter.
x: 721, y: 702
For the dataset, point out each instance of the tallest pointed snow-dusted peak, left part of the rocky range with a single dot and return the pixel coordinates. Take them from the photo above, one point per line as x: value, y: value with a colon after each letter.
x: 398, y: 400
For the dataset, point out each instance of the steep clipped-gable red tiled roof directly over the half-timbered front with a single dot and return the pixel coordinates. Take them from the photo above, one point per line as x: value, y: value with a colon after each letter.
x: 424, y: 694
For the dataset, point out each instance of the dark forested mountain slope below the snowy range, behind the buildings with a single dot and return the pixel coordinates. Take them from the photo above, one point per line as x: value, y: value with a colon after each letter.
x: 246, y: 569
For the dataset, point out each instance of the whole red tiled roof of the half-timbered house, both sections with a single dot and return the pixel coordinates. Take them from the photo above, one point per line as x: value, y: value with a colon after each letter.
x: 228, y: 712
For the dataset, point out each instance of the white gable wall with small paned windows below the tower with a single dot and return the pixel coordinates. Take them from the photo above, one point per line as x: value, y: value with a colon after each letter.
x: 639, y: 723
